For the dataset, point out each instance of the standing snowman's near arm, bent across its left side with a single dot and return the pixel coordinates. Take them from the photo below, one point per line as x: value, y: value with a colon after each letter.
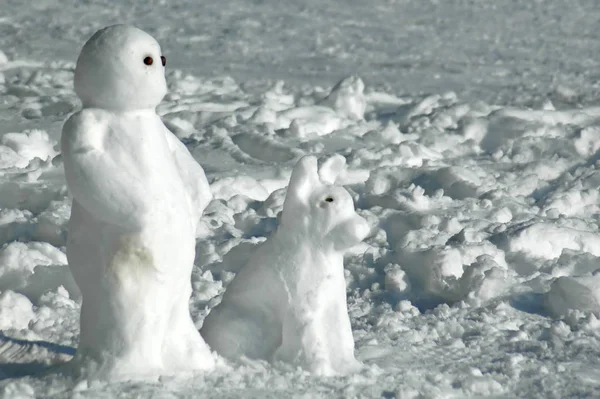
x: 108, y: 192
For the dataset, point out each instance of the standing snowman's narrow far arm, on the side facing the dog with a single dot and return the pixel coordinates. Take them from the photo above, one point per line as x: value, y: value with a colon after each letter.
x: 191, y: 172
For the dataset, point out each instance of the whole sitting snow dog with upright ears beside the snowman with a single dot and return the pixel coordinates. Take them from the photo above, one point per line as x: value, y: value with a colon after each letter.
x: 289, y: 301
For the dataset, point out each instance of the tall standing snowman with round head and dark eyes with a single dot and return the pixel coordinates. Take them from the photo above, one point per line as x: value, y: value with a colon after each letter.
x: 137, y: 197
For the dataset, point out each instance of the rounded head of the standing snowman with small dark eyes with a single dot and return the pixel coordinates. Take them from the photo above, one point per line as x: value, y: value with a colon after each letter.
x: 120, y: 68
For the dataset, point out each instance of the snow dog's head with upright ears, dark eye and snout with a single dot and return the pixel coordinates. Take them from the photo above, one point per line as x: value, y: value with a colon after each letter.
x: 315, y: 206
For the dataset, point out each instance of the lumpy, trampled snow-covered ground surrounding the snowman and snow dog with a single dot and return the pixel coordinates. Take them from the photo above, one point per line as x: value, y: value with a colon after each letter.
x: 475, y: 162
